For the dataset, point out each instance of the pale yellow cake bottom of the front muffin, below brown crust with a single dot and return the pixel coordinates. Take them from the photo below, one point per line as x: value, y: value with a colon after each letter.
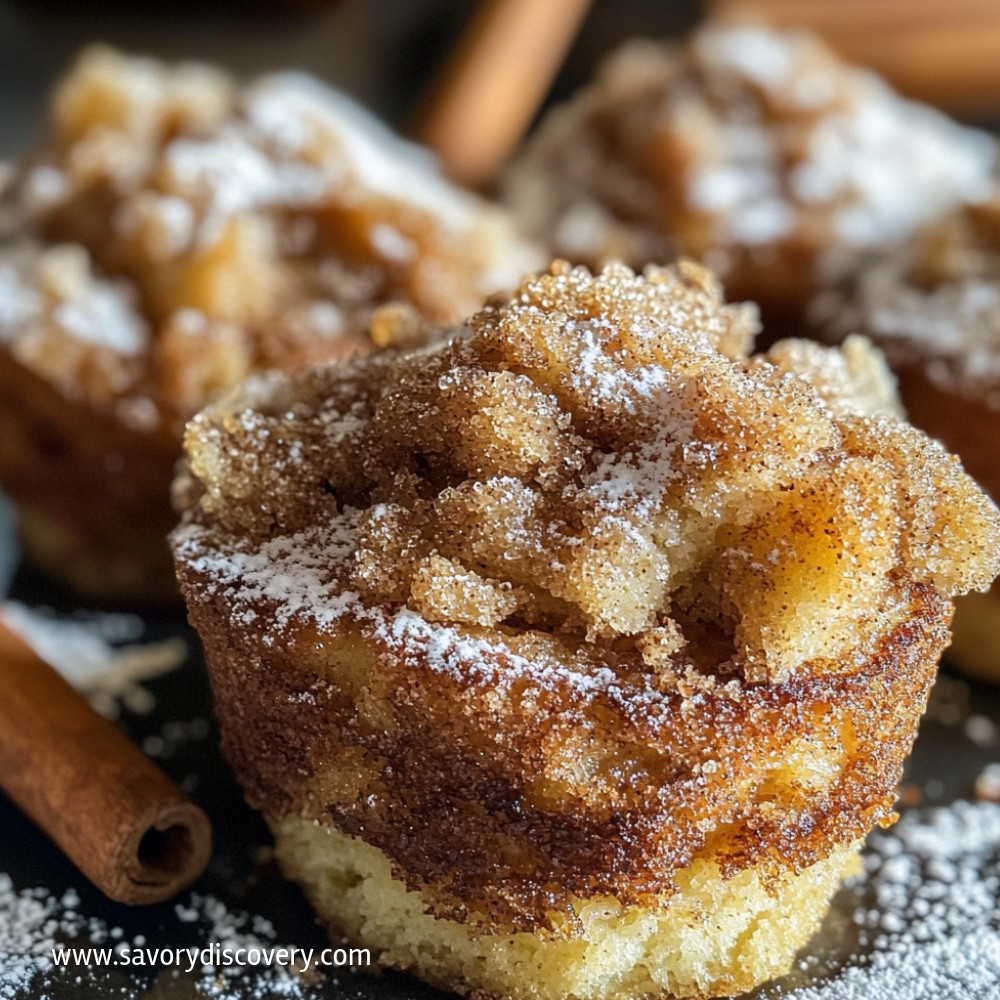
x: 714, y: 937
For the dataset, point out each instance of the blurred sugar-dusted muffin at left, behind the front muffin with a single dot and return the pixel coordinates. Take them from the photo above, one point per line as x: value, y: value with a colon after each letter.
x: 174, y: 233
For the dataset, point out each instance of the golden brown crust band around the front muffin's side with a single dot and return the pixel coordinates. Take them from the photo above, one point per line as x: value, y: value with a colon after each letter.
x: 467, y: 782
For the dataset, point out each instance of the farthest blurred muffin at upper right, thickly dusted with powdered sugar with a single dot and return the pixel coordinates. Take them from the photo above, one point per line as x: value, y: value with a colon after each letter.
x: 755, y: 150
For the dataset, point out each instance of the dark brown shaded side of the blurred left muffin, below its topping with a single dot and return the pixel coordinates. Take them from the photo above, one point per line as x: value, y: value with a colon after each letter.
x: 92, y: 493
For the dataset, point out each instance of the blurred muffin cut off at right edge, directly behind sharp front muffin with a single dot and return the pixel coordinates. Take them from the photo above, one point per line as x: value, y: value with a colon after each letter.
x: 934, y: 309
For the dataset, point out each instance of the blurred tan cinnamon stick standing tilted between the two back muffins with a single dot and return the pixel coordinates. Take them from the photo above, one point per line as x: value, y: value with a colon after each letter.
x: 490, y: 90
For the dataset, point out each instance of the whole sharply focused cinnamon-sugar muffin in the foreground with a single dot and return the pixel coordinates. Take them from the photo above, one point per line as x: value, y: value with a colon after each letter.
x: 576, y: 656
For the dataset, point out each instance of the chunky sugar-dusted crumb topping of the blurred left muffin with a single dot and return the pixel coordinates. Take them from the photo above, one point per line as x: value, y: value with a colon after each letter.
x: 176, y: 232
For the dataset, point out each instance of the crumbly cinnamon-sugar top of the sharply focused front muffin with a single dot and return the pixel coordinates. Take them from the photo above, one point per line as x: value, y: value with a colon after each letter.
x: 598, y: 463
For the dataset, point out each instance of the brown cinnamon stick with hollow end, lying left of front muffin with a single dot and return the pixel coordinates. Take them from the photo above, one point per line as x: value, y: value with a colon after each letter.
x: 124, y: 824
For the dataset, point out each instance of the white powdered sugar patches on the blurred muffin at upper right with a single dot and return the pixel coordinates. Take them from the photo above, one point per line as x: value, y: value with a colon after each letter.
x: 866, y: 140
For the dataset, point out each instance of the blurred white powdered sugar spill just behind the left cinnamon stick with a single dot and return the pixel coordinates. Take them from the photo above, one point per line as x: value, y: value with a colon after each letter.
x: 99, y: 654
